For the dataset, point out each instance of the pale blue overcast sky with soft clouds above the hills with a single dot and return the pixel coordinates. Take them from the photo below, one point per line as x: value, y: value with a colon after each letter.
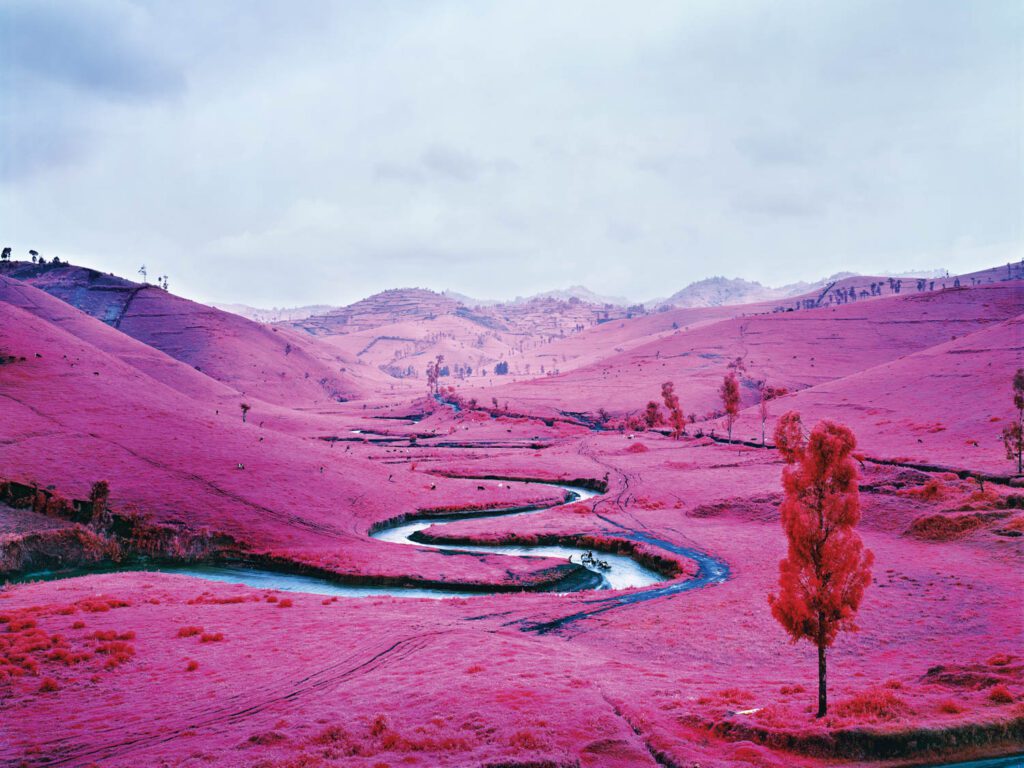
x: 280, y: 154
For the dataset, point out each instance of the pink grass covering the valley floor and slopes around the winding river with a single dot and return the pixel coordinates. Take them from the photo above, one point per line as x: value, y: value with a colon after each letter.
x: 153, y: 669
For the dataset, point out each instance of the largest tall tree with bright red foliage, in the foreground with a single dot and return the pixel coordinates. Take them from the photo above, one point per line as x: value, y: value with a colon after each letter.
x: 827, y: 569
